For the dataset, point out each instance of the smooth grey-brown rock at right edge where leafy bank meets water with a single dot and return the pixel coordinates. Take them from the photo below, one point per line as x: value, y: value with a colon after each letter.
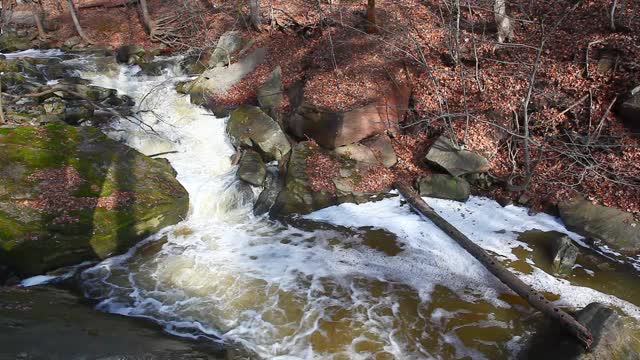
x: 601, y: 224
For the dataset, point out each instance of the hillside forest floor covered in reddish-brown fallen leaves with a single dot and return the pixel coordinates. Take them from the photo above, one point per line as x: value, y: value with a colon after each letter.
x: 465, y: 84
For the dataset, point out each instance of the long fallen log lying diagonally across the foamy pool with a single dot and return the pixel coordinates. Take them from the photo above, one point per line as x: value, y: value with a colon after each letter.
x: 533, y: 297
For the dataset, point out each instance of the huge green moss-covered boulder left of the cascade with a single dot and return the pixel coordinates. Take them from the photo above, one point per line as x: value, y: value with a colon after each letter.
x: 71, y: 194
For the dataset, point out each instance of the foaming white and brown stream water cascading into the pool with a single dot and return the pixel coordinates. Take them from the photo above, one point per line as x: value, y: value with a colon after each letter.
x: 370, y: 281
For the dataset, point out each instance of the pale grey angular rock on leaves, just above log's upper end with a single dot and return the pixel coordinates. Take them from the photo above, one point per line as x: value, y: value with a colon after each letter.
x: 444, y: 154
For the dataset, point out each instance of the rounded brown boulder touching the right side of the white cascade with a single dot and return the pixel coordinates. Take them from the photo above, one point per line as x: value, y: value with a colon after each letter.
x: 251, y: 127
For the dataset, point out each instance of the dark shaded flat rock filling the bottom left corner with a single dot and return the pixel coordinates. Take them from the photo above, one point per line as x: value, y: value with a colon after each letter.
x: 68, y: 328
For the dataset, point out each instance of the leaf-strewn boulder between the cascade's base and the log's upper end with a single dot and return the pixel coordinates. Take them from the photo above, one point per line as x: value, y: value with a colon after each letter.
x: 317, y: 178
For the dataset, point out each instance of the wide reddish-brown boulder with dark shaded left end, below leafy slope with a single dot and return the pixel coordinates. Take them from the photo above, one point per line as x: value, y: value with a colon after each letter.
x: 332, y: 129
